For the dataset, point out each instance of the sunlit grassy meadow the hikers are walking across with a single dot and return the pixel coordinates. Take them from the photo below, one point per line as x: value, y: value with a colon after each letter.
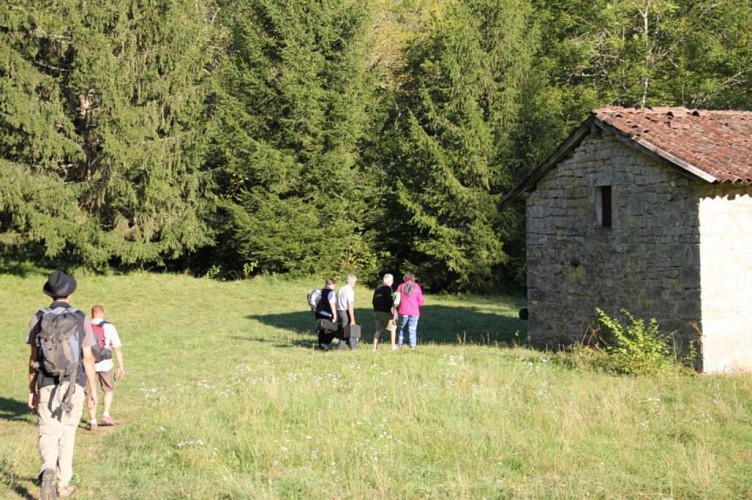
x: 225, y: 397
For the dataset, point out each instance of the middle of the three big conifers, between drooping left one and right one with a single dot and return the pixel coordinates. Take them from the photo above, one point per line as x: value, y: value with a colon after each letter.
x: 292, y: 112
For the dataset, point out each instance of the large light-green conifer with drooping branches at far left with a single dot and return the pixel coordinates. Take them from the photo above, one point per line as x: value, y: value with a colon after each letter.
x: 100, y: 112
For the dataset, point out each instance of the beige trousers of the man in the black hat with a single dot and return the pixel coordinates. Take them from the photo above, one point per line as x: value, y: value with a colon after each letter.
x: 57, y: 430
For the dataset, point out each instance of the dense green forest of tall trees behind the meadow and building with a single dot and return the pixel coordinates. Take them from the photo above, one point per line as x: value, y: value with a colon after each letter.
x: 300, y: 137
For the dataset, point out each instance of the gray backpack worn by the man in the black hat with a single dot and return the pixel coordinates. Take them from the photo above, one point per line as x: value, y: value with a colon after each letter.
x: 59, y: 343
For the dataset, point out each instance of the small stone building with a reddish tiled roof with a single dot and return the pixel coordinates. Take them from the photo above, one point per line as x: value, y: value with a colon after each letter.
x: 647, y: 210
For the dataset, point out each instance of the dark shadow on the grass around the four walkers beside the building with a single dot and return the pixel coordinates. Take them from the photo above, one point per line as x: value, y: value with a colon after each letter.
x: 438, y: 325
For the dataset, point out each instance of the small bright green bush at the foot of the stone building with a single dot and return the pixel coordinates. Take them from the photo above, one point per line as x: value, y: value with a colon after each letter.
x: 637, y: 348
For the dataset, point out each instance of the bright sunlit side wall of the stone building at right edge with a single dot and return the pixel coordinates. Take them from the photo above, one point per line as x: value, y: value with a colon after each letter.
x: 726, y: 257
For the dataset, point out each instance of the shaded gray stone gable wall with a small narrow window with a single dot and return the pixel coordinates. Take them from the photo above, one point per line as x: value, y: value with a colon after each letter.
x: 648, y: 262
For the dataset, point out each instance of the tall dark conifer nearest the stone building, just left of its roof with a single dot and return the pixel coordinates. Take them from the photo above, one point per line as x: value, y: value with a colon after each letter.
x: 457, y: 111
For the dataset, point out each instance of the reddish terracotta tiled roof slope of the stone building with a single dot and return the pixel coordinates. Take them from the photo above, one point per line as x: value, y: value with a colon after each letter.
x: 716, y: 143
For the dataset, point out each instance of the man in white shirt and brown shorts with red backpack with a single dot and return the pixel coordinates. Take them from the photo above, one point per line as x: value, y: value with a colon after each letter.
x: 108, y: 342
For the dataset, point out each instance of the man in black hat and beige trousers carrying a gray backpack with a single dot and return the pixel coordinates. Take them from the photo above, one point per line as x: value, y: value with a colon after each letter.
x: 59, y: 402
